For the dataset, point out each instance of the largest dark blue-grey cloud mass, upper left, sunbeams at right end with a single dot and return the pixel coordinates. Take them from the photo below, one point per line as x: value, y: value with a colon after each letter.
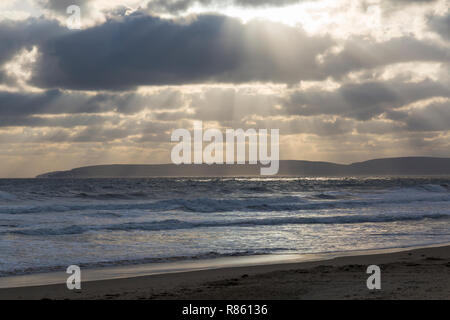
x: 209, y: 49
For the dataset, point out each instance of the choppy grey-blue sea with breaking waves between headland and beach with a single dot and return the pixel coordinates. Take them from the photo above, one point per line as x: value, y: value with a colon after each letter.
x: 49, y: 224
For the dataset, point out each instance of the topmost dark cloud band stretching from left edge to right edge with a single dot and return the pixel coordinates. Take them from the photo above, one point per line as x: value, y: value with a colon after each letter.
x: 211, y: 48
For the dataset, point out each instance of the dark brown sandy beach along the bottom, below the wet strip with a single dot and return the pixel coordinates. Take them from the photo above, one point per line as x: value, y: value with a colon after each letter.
x: 411, y: 274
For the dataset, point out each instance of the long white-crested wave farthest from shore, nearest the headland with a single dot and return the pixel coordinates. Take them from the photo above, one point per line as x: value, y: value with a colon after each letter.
x: 211, y: 205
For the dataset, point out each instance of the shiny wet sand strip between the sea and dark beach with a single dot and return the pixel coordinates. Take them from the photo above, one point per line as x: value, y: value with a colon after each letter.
x: 189, y: 265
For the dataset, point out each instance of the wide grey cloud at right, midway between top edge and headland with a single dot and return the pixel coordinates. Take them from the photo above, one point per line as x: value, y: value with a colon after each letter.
x: 362, y: 101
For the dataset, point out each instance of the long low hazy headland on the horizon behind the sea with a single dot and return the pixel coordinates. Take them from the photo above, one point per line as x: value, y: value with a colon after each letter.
x: 388, y: 166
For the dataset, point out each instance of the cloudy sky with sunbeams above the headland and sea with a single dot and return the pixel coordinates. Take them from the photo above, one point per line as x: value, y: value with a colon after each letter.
x: 343, y: 80
